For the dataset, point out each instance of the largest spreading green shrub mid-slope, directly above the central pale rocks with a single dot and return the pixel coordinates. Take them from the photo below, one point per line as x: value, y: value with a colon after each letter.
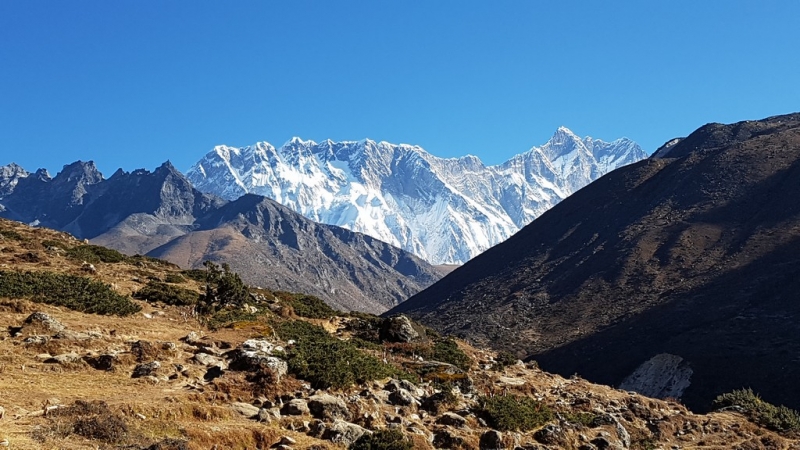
x: 327, y: 362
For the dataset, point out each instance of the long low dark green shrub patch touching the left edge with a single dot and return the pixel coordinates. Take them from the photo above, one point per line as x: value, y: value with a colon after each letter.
x: 74, y: 292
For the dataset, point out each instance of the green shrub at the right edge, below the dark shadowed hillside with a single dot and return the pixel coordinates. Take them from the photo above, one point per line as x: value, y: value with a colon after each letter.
x: 776, y: 418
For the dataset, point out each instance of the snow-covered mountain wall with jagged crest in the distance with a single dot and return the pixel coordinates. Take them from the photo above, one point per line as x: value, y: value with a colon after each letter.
x: 443, y: 210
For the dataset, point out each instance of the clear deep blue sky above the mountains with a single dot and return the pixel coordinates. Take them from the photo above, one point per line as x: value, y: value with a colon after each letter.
x: 133, y: 83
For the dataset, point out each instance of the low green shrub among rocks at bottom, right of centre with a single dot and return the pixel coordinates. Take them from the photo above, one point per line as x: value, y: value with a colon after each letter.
x: 513, y: 413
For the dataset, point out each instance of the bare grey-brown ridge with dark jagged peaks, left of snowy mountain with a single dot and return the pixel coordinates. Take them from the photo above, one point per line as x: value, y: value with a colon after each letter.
x: 160, y: 213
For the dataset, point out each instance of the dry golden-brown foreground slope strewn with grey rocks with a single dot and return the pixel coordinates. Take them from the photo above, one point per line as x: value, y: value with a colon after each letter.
x: 161, y: 379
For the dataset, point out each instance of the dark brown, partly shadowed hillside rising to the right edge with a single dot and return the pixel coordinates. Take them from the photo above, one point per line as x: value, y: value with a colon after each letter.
x: 688, y: 258
